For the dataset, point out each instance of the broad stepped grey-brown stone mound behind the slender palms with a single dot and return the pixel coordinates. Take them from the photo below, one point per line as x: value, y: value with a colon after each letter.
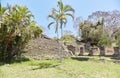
x: 45, y: 48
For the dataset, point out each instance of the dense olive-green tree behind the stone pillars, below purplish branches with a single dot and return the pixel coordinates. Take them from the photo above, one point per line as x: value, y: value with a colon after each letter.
x: 96, y: 34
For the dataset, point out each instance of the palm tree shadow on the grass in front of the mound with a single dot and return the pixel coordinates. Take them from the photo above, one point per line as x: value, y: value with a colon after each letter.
x: 45, y: 65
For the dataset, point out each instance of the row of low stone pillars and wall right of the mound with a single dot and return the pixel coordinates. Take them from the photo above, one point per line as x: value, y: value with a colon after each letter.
x: 115, y: 51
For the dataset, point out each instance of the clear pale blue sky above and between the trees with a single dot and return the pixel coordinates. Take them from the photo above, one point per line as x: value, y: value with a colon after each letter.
x: 83, y: 8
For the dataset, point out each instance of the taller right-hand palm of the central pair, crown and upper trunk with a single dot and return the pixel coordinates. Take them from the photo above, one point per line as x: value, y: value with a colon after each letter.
x: 64, y: 11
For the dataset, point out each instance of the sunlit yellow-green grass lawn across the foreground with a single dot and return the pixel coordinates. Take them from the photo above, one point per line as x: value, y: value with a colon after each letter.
x: 69, y: 68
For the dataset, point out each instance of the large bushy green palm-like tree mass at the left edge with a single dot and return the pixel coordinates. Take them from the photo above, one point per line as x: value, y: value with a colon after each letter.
x: 17, y: 28
